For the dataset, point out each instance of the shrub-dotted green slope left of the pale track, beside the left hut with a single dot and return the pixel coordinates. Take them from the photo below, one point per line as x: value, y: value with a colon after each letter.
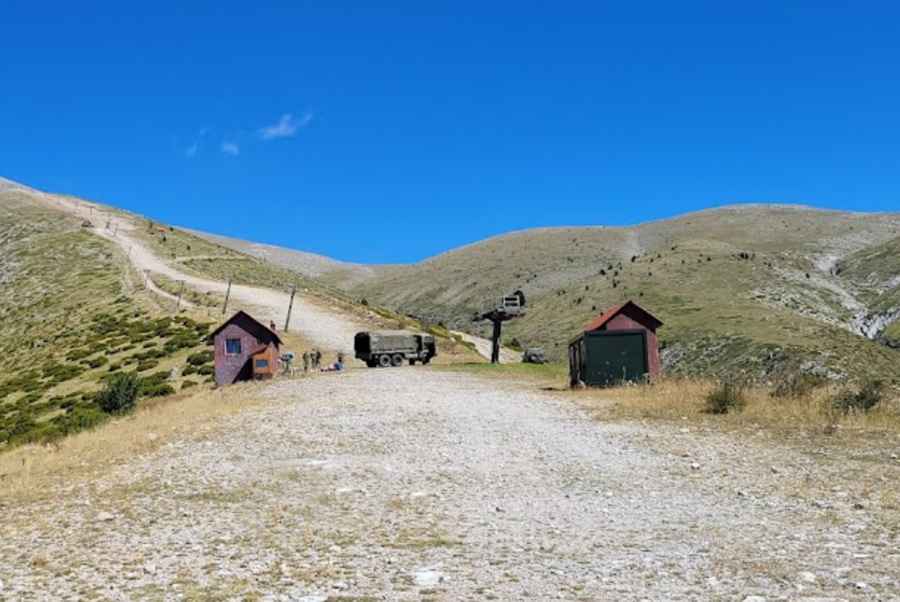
x: 71, y: 316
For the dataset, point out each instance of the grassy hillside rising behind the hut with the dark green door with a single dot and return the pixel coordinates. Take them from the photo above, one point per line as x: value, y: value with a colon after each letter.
x: 749, y: 288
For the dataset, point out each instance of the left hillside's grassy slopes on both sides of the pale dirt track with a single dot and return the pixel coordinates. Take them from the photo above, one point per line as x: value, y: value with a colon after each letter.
x: 73, y: 314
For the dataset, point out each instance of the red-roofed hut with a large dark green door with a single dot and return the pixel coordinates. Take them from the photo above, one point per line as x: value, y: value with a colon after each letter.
x: 619, y: 345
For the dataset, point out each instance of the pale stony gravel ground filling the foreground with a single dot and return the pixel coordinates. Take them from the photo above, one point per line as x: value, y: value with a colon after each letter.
x: 413, y: 484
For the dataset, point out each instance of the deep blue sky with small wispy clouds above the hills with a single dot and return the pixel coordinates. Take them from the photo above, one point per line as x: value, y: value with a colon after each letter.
x: 322, y: 125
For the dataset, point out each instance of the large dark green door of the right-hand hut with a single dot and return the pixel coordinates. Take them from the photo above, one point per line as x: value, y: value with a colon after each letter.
x: 612, y: 357
